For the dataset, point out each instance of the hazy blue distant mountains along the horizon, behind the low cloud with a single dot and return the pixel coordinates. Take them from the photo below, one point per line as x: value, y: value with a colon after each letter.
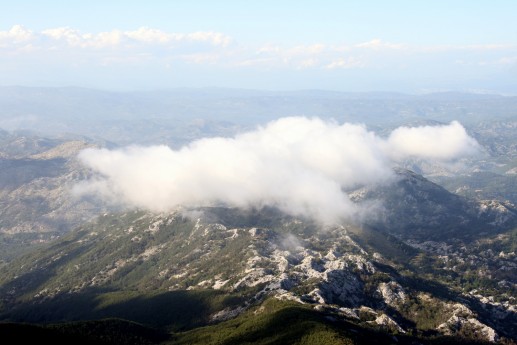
x: 177, y: 116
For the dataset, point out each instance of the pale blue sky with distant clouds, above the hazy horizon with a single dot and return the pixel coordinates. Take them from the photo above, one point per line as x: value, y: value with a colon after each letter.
x: 398, y: 46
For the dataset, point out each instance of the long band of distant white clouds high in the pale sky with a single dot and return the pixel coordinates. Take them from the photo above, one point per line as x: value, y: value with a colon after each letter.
x: 163, y: 47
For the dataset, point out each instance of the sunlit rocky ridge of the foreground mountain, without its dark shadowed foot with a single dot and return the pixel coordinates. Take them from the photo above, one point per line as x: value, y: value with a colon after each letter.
x: 327, y: 268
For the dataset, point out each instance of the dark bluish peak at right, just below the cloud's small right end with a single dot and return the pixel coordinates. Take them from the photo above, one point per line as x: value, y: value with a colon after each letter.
x: 414, y: 208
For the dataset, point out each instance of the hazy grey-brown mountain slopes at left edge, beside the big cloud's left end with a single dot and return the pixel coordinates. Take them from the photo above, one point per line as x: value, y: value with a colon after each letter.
x: 36, y: 178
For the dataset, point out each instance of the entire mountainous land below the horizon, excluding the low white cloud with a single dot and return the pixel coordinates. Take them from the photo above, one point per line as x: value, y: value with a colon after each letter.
x: 433, y: 261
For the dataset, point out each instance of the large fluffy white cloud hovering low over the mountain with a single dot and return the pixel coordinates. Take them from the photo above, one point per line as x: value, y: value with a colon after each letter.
x: 297, y: 164
